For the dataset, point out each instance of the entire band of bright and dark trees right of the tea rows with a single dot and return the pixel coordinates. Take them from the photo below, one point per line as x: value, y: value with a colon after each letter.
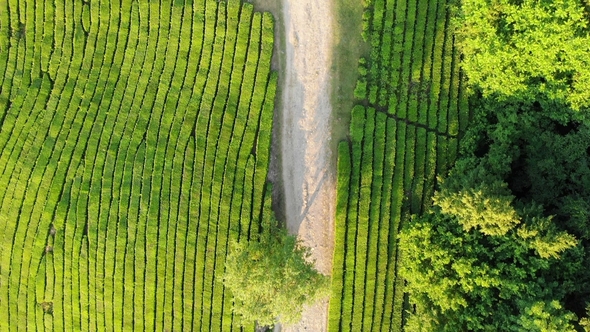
x: 506, y: 245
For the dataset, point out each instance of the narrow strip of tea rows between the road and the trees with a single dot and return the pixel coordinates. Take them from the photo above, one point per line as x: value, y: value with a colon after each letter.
x: 404, y: 130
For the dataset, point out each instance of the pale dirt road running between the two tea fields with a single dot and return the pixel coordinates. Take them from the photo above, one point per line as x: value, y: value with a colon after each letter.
x: 308, y: 178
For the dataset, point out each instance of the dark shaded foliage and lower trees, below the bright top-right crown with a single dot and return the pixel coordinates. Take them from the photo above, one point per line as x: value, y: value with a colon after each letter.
x: 509, y: 230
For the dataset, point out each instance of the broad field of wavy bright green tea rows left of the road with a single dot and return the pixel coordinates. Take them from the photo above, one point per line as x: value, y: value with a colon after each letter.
x: 134, y: 144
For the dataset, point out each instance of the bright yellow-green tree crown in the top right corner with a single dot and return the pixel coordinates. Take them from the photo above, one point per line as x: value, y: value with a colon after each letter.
x: 528, y: 50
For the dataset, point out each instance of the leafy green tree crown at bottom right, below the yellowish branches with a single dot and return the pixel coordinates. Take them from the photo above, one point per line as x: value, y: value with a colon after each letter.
x: 457, y: 278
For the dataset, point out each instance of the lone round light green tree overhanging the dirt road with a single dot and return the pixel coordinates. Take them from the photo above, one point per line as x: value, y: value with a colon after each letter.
x: 271, y: 278
